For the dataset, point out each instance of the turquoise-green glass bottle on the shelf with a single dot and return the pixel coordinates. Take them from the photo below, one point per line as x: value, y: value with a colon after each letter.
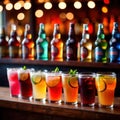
x: 41, y: 44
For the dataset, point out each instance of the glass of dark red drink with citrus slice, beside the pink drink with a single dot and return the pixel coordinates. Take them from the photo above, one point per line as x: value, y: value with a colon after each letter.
x: 25, y: 83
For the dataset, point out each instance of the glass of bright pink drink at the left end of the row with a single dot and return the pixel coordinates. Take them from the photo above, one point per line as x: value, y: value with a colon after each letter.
x: 14, y: 85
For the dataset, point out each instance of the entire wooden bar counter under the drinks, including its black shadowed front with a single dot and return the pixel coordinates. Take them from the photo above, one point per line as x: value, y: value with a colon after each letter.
x: 19, y: 109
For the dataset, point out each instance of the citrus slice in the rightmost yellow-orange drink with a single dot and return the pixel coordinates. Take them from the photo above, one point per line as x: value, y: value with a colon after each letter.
x: 101, y: 84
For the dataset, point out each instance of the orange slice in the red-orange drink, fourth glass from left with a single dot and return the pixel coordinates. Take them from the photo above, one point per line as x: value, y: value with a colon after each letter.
x: 52, y: 81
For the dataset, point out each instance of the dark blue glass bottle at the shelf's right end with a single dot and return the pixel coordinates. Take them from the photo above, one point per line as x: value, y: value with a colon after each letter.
x: 114, y: 50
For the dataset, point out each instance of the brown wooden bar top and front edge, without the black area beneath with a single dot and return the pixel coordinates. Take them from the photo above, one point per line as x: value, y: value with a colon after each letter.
x: 71, y: 111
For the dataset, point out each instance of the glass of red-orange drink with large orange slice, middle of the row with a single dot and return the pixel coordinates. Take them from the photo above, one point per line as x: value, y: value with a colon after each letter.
x: 54, y: 85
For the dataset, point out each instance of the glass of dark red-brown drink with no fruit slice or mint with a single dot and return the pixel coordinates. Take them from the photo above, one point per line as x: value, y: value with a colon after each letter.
x: 87, y: 88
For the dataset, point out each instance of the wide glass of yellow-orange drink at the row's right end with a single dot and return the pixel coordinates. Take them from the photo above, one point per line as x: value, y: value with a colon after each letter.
x: 106, y: 84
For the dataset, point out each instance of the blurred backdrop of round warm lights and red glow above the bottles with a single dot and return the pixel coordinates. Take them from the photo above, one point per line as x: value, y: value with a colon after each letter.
x: 63, y: 12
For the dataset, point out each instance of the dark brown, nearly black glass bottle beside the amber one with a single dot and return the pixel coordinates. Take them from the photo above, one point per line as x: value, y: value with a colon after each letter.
x: 71, y: 44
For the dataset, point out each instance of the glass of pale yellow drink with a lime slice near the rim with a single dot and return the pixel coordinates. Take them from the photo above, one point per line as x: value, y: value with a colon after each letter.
x: 38, y: 85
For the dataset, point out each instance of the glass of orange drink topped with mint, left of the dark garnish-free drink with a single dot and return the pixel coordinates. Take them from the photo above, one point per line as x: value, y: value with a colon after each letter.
x: 70, y: 88
